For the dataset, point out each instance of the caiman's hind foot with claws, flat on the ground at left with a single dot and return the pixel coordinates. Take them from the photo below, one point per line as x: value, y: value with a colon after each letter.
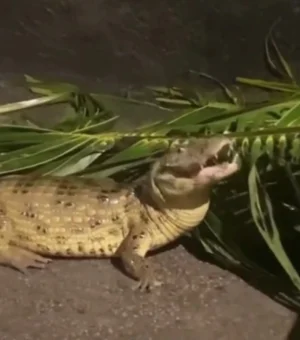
x: 22, y: 259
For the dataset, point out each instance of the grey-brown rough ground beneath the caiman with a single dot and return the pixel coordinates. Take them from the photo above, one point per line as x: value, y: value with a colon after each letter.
x: 93, y: 300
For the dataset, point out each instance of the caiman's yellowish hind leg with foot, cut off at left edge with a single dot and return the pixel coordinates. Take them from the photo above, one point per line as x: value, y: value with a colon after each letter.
x: 12, y: 255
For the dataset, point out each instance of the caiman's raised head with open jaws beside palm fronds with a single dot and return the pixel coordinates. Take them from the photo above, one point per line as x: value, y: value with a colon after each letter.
x: 184, y: 176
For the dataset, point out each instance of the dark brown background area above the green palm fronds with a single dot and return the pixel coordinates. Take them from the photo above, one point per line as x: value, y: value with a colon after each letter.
x: 141, y: 42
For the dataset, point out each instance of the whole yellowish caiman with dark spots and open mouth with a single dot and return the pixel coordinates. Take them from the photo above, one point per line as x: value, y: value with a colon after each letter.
x: 46, y: 217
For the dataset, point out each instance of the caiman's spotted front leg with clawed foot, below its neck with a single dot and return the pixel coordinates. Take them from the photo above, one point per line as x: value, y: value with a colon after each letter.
x: 132, y: 253
